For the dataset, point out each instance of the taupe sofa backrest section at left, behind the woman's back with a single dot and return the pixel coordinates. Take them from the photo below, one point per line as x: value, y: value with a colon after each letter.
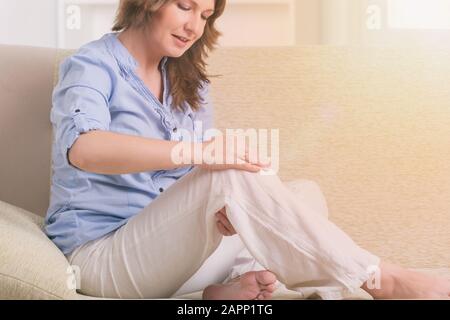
x: 26, y: 78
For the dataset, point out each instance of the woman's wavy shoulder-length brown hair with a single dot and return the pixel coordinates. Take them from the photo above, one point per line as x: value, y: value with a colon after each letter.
x: 188, y: 72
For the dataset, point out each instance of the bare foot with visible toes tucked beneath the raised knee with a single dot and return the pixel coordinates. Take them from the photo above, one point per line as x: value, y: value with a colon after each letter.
x: 253, y: 285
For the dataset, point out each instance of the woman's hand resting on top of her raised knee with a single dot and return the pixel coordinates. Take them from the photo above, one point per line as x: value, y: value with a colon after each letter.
x: 222, y: 153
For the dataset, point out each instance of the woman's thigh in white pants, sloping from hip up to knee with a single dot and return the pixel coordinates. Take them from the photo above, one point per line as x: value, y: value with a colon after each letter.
x: 160, y: 248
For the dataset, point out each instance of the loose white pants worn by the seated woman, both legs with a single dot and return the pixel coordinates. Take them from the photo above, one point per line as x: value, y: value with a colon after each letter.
x: 164, y: 250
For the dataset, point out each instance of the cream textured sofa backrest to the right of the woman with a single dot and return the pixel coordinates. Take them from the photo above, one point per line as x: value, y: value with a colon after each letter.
x: 371, y: 125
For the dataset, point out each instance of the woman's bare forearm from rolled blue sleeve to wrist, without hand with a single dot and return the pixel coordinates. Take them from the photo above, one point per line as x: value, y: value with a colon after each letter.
x: 106, y: 152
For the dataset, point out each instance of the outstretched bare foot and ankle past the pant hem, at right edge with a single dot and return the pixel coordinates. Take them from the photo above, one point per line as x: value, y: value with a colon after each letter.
x: 400, y: 283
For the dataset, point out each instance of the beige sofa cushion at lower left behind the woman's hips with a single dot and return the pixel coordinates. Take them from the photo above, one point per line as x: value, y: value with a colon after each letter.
x: 31, y: 265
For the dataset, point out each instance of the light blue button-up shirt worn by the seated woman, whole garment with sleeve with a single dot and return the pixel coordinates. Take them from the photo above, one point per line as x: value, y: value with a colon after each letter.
x: 99, y: 89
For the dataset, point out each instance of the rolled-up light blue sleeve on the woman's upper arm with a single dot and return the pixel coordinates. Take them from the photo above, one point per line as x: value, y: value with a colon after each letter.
x: 80, y: 101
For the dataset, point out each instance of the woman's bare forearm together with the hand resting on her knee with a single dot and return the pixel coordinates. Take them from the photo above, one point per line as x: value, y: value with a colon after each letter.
x: 105, y: 152
